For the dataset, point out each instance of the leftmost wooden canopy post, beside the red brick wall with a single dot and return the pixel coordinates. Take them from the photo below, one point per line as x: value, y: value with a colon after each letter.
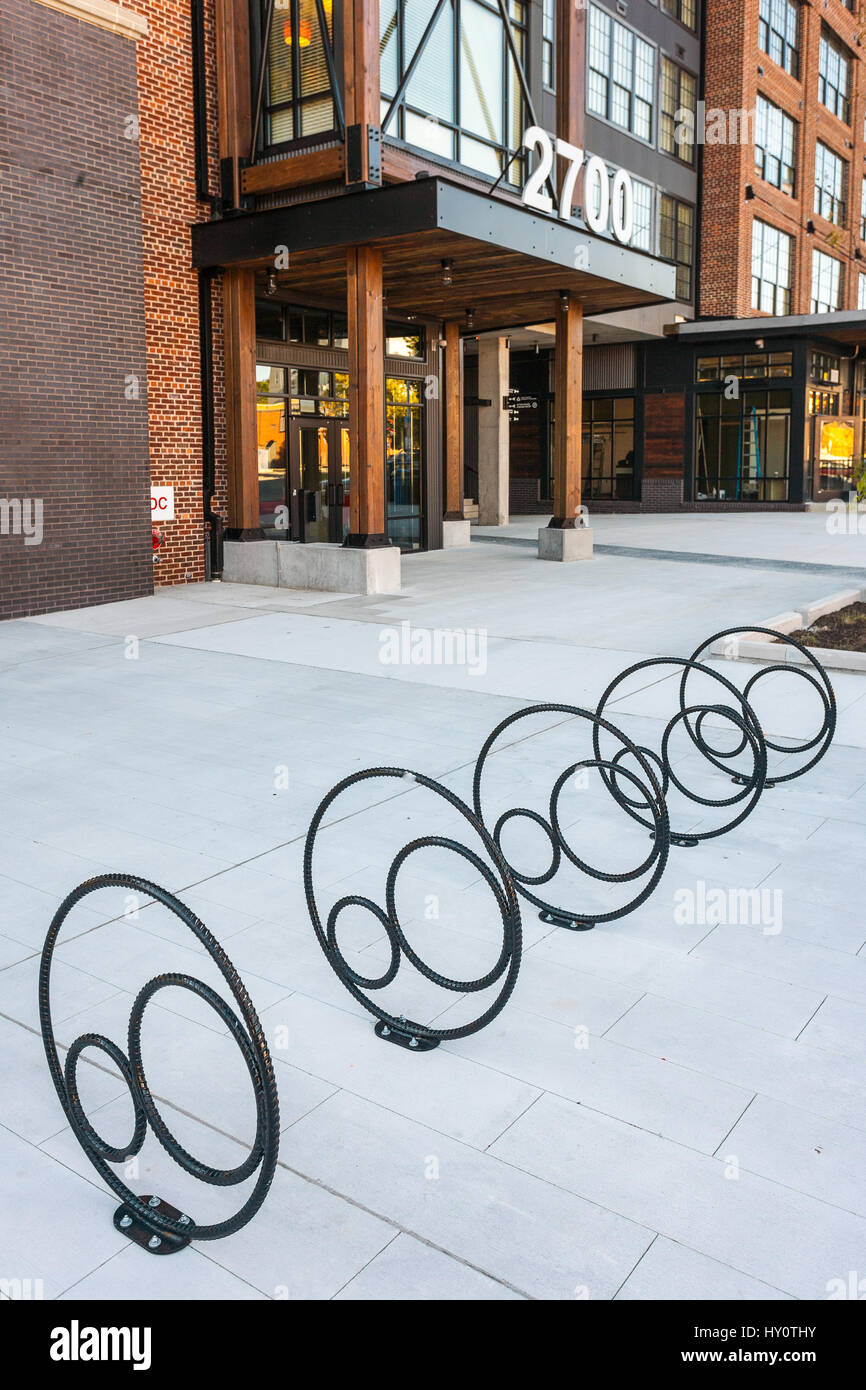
x: 241, y: 437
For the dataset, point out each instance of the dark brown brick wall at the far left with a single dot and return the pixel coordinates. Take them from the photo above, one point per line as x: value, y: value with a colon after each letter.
x: 73, y: 391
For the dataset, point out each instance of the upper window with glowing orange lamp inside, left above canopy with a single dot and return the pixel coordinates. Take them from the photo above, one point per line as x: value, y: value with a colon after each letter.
x: 298, y: 91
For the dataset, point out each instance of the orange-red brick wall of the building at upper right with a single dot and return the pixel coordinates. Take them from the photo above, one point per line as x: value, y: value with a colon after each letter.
x: 733, y: 83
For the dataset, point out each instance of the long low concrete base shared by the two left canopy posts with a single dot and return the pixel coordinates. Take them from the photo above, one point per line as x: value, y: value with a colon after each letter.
x: 329, y: 568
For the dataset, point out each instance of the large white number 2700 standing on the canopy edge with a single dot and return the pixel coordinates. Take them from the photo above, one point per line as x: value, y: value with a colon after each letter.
x: 608, y: 199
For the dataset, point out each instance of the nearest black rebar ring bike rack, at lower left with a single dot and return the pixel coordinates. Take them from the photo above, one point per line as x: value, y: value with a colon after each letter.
x: 148, y: 1220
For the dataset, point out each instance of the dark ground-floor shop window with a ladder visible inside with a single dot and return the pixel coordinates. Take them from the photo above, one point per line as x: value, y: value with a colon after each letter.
x: 744, y: 447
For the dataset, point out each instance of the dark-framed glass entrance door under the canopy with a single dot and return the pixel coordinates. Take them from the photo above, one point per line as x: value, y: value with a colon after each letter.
x: 319, y: 480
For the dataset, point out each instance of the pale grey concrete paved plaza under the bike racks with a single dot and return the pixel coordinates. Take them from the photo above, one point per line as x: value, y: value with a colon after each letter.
x: 668, y: 1109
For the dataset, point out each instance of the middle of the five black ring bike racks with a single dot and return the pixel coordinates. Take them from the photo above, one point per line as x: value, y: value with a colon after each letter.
x: 642, y: 782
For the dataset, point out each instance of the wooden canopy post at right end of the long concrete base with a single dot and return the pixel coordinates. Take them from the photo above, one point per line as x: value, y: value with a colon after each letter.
x: 366, y: 398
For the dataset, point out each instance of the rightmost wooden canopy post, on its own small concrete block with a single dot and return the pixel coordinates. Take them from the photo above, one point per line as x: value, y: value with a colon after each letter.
x: 568, y: 386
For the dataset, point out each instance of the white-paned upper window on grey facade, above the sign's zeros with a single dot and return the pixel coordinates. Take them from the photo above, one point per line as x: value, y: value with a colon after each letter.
x: 622, y: 76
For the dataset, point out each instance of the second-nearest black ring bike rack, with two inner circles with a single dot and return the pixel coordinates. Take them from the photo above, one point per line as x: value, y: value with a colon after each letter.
x: 419, y: 1038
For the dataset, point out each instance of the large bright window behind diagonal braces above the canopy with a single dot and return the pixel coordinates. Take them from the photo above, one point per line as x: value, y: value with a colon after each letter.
x: 464, y: 101
